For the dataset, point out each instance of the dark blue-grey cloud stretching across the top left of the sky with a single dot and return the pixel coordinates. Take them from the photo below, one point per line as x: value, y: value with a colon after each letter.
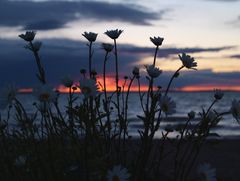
x: 52, y: 14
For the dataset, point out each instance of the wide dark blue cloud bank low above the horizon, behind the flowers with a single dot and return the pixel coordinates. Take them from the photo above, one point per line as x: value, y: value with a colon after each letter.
x: 66, y: 57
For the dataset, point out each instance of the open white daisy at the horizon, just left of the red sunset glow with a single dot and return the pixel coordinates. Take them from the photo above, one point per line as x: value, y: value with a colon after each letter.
x: 88, y: 87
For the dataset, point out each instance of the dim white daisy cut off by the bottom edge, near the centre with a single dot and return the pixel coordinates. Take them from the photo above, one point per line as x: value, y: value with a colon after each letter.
x: 118, y: 173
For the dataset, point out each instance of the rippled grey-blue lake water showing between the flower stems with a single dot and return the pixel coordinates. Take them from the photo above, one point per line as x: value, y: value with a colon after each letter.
x: 185, y: 102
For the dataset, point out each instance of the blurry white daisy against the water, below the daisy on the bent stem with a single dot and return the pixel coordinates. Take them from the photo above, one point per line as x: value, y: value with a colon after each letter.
x: 167, y: 105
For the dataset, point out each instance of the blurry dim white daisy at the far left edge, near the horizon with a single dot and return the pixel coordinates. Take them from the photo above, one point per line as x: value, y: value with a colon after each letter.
x: 7, y: 95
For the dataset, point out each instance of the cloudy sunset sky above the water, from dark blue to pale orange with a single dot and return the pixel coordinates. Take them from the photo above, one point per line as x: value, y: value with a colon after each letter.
x: 208, y: 30
